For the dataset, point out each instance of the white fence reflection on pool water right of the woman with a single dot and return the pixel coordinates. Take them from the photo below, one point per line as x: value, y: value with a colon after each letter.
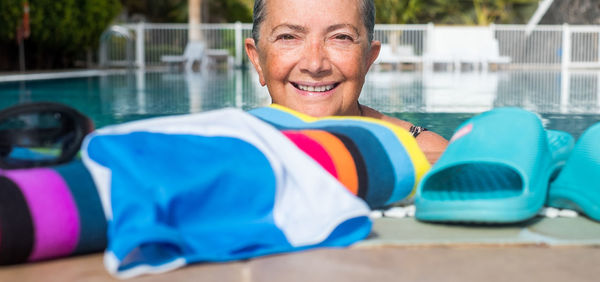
x: 473, y: 92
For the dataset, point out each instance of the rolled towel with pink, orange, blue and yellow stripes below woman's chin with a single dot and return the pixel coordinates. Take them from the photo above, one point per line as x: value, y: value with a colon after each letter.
x: 383, y: 161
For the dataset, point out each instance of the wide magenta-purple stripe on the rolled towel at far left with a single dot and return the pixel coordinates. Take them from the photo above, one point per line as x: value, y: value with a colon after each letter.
x: 53, y: 210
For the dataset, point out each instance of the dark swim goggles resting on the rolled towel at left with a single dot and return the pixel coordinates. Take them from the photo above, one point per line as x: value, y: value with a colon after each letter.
x: 40, y: 134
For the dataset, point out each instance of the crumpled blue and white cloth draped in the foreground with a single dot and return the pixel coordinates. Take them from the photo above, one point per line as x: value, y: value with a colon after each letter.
x: 215, y: 186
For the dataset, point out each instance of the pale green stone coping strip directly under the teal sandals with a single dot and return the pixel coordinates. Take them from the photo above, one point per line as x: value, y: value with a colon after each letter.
x: 578, y: 231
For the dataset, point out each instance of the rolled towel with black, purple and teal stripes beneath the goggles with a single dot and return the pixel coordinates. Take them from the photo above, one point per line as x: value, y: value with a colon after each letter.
x: 49, y: 213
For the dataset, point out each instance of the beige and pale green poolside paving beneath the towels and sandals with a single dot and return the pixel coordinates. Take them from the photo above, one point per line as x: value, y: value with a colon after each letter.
x: 398, y: 249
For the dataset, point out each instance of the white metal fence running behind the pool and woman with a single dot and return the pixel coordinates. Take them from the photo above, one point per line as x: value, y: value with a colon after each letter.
x: 560, y: 46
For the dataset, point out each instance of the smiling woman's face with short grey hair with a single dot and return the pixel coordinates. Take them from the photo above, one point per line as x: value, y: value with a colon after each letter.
x: 313, y: 55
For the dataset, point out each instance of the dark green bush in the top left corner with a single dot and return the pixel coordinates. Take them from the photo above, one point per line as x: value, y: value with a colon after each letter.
x: 64, y: 28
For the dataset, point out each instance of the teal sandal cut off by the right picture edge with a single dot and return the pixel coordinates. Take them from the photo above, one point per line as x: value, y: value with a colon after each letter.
x: 577, y: 186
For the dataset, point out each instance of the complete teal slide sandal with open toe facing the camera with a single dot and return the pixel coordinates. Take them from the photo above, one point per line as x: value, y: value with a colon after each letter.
x: 496, y: 169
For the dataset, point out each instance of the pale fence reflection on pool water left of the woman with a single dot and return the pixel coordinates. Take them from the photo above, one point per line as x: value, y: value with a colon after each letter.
x: 160, y: 93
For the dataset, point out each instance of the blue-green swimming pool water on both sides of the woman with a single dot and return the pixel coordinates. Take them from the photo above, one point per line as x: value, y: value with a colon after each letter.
x: 437, y: 100
